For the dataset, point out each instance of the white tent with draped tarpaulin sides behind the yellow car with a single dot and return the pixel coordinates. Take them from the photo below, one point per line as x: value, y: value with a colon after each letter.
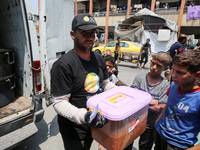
x: 161, y: 40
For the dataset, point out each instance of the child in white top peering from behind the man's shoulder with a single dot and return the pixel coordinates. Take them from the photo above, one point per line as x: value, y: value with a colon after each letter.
x: 110, y: 63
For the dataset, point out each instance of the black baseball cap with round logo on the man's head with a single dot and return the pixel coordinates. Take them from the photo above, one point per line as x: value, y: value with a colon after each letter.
x: 84, y: 21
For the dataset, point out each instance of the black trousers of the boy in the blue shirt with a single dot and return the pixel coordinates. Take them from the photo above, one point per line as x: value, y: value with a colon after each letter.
x: 161, y: 144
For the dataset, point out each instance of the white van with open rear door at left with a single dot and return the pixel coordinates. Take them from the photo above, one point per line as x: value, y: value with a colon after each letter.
x: 25, y: 67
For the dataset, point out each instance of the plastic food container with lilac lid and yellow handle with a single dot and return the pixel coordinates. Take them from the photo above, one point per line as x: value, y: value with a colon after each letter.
x: 126, y: 109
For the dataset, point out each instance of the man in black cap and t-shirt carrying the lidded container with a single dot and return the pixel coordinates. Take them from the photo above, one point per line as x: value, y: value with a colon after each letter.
x: 76, y: 76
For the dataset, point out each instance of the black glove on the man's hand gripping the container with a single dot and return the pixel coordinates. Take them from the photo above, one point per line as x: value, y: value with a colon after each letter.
x: 98, y: 122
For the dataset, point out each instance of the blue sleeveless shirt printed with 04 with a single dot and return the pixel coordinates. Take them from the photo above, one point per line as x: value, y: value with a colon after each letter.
x: 180, y: 123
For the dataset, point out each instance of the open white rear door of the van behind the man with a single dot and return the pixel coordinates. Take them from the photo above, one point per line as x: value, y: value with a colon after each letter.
x: 55, y: 40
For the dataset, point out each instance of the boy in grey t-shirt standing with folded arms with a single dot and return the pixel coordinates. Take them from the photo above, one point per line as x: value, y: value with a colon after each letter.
x: 156, y: 85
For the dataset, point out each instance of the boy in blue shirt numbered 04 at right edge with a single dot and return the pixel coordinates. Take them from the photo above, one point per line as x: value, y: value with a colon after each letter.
x: 180, y: 123
